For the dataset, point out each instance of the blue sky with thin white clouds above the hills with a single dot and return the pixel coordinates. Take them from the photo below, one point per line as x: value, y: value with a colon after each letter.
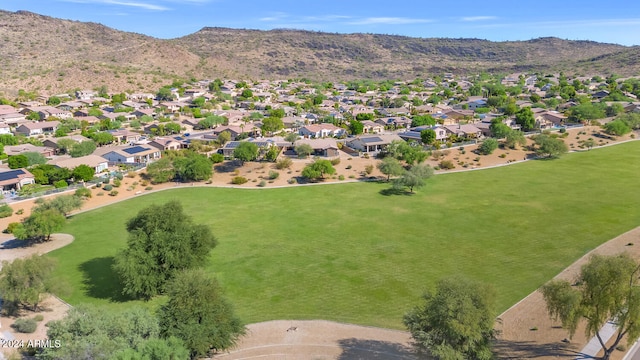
x: 614, y: 21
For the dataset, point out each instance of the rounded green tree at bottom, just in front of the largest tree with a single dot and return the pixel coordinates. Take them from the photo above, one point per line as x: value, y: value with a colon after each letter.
x: 198, y: 314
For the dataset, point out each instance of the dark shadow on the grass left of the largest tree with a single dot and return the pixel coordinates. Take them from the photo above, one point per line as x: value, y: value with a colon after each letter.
x: 101, y: 281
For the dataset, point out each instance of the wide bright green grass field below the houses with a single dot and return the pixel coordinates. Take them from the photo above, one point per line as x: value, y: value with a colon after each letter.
x: 348, y: 253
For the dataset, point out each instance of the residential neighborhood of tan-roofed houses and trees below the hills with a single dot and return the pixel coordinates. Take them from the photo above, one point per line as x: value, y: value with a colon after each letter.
x: 137, y: 128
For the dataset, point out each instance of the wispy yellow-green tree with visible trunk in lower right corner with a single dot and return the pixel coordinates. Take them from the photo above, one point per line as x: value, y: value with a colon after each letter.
x: 607, y: 289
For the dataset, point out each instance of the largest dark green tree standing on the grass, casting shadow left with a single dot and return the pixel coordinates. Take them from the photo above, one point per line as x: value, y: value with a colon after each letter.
x: 162, y: 241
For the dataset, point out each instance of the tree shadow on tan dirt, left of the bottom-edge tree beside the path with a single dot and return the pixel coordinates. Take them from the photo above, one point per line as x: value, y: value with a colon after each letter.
x: 376, y: 350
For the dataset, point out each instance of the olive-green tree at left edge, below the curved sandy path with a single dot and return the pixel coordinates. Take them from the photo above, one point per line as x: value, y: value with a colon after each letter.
x: 24, y: 282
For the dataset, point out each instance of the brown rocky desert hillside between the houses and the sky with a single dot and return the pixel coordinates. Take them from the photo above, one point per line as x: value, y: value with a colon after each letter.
x: 40, y: 53
